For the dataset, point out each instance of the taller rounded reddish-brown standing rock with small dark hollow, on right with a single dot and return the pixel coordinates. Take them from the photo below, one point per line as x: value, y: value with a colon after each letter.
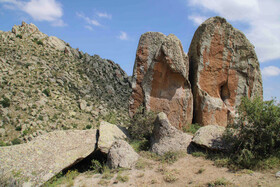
x: 223, y: 68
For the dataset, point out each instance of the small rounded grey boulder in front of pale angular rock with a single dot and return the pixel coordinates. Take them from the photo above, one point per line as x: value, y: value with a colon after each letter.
x: 121, y: 155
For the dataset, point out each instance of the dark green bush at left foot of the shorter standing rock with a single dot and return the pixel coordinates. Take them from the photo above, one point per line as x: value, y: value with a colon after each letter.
x: 141, y: 125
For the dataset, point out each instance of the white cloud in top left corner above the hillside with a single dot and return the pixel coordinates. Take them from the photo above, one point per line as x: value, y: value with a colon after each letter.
x: 40, y: 10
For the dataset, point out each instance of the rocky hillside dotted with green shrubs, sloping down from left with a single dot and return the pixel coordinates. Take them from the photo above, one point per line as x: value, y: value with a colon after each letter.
x: 46, y: 85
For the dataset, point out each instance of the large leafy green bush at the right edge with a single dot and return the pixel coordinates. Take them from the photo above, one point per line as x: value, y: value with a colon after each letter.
x: 256, y: 136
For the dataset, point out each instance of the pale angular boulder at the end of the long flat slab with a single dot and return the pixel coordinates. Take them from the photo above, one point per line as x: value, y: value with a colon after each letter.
x: 108, y: 134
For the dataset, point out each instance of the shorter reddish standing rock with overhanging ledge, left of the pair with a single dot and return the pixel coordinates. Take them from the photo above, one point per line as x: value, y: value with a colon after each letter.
x: 160, y: 78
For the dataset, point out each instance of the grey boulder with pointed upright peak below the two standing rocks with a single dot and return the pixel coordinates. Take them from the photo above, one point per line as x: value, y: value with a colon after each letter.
x: 167, y: 138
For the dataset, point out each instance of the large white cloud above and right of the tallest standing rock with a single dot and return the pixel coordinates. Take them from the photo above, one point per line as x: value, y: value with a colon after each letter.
x: 262, y: 17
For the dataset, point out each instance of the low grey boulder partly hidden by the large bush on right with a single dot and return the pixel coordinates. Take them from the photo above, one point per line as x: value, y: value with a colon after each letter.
x: 210, y: 137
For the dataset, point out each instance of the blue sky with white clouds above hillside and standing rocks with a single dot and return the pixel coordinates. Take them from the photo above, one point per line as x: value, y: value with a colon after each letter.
x: 112, y: 28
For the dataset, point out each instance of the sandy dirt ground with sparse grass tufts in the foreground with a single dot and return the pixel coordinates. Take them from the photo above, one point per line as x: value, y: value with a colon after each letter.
x: 187, y: 171
